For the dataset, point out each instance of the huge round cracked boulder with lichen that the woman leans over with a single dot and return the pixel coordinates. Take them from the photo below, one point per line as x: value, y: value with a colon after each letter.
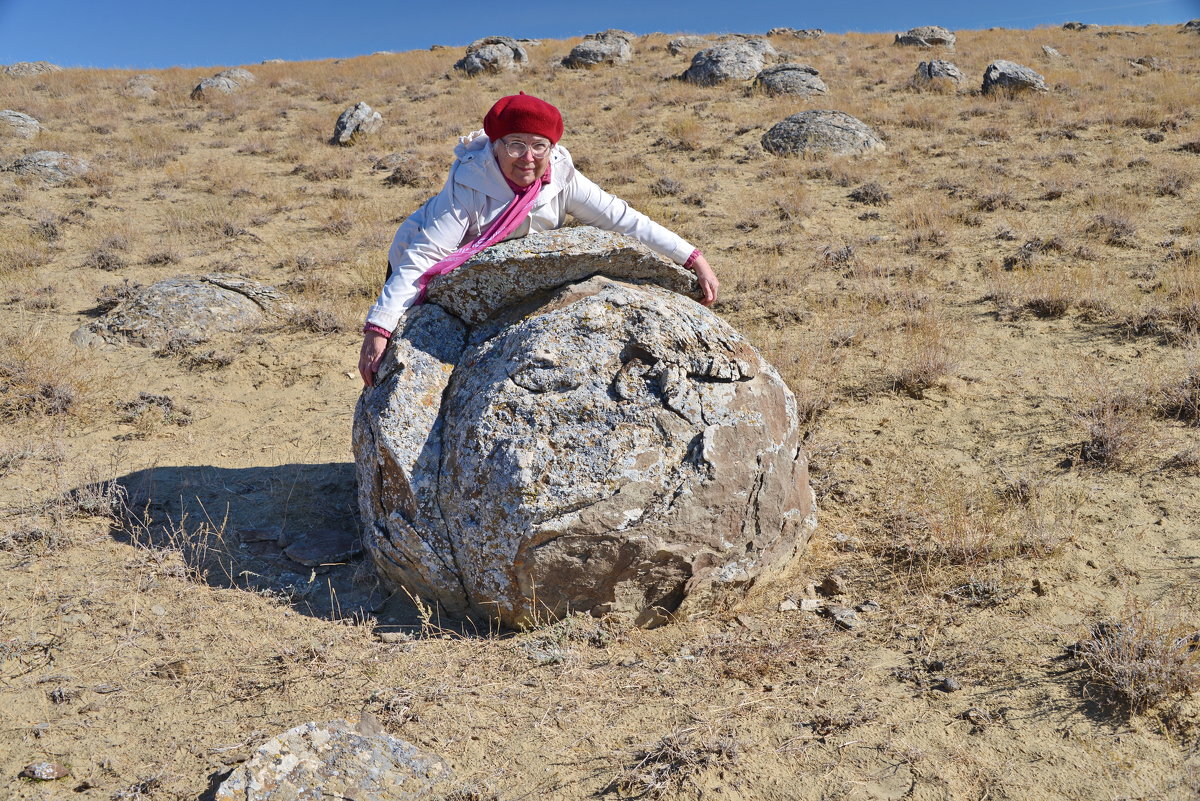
x: 599, y: 445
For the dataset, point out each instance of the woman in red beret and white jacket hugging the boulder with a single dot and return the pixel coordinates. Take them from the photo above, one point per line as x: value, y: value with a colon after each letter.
x: 511, y: 179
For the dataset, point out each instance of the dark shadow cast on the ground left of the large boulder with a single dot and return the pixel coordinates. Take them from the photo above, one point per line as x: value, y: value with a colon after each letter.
x: 289, y: 532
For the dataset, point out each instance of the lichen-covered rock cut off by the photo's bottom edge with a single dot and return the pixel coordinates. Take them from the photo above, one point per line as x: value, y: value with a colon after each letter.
x: 316, y: 762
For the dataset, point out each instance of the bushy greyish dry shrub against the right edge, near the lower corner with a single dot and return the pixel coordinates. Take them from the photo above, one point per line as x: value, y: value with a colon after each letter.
x: 1142, y: 660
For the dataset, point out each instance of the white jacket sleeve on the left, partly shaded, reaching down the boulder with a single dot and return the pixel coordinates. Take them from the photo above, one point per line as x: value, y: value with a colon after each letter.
x: 433, y: 233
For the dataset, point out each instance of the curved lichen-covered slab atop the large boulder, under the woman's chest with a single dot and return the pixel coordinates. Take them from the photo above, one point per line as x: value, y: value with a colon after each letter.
x: 512, y: 272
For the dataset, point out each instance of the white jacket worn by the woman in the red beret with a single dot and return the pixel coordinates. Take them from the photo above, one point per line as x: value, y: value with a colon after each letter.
x: 476, y: 194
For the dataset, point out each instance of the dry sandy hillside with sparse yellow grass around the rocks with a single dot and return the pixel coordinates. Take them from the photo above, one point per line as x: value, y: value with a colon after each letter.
x: 991, y: 326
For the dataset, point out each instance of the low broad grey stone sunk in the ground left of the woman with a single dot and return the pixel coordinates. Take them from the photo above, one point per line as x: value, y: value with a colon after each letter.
x: 187, y: 309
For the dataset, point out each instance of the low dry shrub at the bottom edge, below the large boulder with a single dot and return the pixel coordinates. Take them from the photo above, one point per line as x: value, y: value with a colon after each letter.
x: 665, y: 768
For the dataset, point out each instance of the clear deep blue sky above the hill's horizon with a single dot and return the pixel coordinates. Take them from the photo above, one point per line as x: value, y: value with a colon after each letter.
x: 154, y: 34
